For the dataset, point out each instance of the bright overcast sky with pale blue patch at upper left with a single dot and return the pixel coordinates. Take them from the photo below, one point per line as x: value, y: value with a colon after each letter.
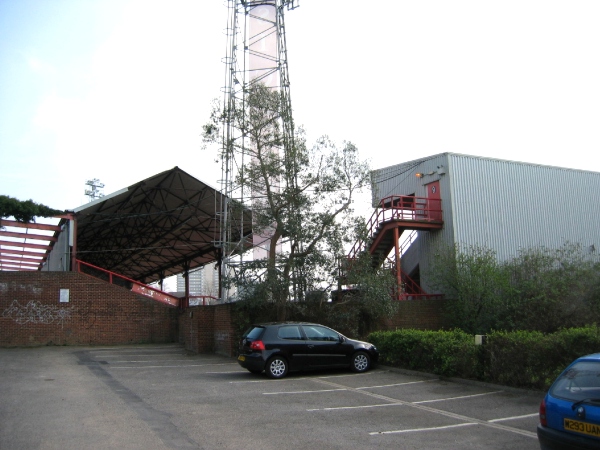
x: 118, y: 89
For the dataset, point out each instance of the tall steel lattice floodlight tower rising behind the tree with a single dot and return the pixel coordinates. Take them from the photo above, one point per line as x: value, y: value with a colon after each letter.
x: 256, y: 53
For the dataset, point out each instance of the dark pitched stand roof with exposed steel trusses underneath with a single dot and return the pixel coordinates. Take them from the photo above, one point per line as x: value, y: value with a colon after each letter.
x: 154, y: 228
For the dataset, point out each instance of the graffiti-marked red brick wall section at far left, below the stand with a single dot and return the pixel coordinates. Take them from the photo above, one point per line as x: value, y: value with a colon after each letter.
x: 97, y: 313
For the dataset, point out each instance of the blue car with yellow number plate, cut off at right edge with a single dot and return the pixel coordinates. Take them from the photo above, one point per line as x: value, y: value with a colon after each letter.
x: 570, y: 411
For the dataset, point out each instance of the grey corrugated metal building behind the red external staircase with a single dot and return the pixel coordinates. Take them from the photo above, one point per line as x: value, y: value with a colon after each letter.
x: 502, y: 205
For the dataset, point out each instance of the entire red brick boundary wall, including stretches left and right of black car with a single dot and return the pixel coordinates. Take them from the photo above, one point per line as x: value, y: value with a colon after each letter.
x: 102, y: 314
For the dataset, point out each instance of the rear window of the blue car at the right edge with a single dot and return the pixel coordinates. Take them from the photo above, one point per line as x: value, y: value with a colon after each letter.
x: 580, y: 382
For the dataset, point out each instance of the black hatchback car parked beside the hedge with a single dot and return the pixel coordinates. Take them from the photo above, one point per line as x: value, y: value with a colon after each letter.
x: 278, y: 348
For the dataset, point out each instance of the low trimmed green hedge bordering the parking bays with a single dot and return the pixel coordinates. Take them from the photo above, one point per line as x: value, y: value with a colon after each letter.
x: 524, y: 359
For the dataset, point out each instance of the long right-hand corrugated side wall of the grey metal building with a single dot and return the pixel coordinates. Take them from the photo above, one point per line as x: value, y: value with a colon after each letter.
x: 508, y: 206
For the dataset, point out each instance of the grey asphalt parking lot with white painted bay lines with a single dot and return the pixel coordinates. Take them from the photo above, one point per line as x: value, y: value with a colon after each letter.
x: 161, y: 397
